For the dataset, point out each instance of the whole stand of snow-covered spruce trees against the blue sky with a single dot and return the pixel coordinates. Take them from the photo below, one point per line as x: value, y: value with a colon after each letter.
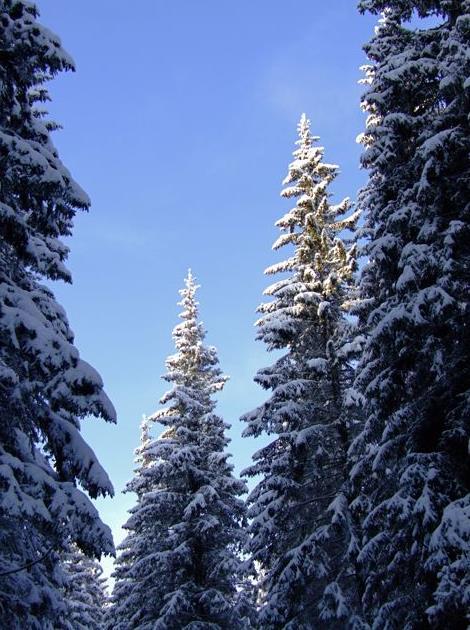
x: 355, y: 510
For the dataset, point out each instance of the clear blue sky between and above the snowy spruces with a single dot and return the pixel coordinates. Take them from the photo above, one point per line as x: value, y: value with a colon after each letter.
x: 179, y: 123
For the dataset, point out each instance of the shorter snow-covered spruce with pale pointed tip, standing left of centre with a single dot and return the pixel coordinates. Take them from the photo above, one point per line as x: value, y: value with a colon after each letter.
x: 182, y: 564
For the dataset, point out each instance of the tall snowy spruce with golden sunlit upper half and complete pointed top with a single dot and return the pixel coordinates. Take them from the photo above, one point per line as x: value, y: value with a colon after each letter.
x: 296, y: 509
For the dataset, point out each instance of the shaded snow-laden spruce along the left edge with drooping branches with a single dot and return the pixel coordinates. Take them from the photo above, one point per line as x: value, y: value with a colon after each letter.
x: 45, y: 388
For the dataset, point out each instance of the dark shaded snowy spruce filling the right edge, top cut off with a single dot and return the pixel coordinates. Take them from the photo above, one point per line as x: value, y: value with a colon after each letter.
x: 411, y: 472
